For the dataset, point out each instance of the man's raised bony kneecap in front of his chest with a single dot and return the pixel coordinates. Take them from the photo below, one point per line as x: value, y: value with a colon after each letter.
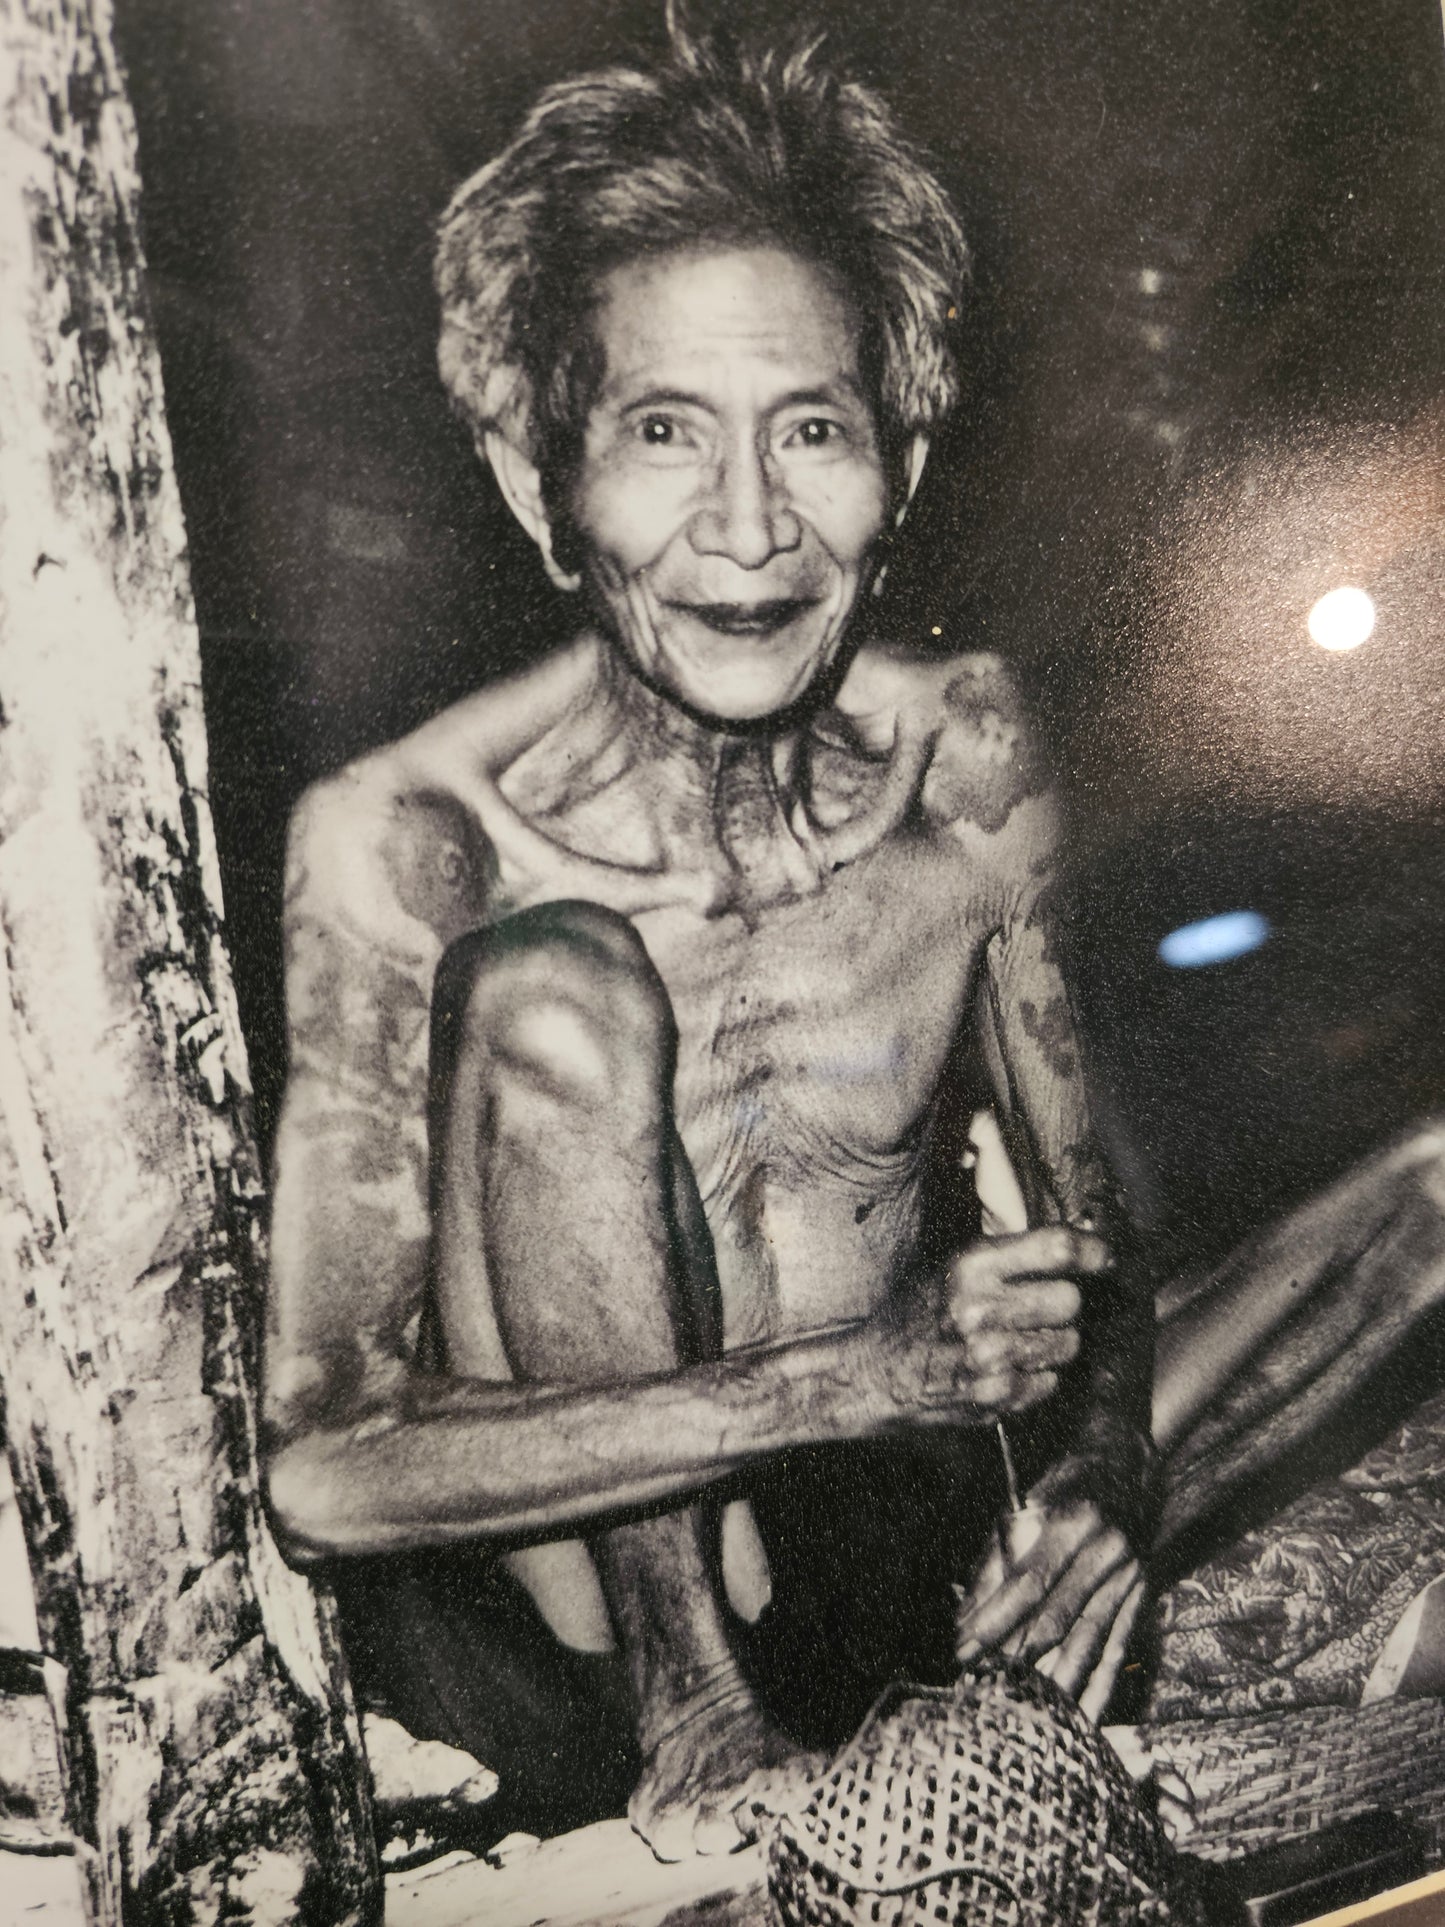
x: 564, y: 997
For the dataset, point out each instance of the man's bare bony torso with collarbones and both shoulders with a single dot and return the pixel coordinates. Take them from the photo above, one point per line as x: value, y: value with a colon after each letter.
x: 820, y: 972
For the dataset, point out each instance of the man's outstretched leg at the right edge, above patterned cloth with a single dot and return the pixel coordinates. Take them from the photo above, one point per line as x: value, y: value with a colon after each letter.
x: 1267, y: 1350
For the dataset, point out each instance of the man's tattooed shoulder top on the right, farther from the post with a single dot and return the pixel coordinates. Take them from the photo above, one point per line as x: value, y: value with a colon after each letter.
x: 989, y: 778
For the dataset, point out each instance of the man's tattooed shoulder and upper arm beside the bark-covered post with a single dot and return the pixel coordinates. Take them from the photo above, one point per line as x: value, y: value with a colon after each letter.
x: 381, y: 882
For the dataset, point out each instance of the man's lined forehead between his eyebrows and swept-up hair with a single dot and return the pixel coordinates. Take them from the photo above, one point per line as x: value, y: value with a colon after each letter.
x: 725, y: 315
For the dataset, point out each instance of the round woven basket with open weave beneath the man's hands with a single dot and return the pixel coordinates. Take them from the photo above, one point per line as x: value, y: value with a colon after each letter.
x: 993, y: 1803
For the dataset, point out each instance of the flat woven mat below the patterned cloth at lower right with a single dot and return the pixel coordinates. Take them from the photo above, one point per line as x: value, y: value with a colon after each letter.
x: 1278, y: 1776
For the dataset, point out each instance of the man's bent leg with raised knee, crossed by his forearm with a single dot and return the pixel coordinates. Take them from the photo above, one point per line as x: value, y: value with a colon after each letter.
x: 571, y: 1250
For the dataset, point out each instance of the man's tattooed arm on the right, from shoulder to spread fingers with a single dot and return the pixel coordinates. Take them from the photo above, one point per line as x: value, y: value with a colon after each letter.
x: 1099, y: 1496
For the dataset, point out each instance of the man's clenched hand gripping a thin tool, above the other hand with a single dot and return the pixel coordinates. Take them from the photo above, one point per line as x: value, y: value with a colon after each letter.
x: 985, y: 1338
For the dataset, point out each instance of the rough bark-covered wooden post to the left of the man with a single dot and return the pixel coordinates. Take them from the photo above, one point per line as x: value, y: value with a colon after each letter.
x: 211, y: 1760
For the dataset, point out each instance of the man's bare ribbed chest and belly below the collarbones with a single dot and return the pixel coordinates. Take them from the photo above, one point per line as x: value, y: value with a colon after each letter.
x: 808, y: 1057
